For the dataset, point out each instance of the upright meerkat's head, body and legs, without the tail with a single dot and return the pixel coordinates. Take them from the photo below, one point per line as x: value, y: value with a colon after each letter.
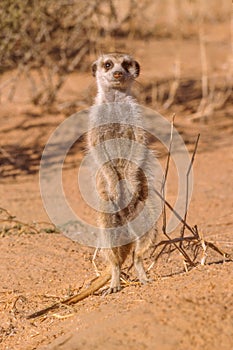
x: 119, y: 150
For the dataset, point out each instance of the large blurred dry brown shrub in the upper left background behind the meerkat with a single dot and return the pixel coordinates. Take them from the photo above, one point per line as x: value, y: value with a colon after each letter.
x: 52, y: 37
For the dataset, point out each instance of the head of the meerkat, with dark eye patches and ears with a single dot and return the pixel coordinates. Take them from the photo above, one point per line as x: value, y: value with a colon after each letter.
x: 115, y: 71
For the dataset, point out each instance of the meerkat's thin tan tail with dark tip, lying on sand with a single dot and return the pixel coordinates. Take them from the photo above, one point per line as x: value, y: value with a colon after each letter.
x: 94, y: 287
